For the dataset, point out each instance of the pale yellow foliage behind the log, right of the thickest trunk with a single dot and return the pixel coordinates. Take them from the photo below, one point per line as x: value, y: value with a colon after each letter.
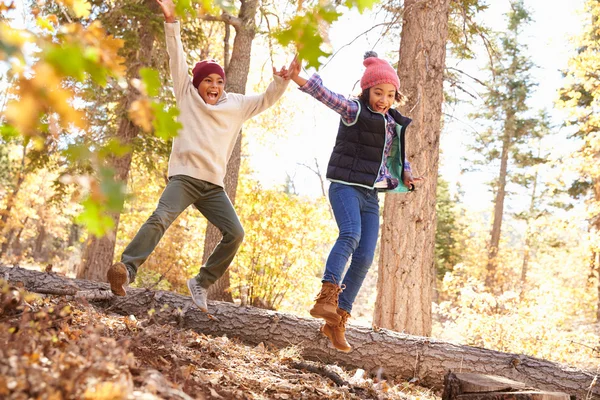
x: 548, y: 316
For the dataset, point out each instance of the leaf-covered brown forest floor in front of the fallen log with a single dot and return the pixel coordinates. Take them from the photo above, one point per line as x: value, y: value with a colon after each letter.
x: 53, y: 348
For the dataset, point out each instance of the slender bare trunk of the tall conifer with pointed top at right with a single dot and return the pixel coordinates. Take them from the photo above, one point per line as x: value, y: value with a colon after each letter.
x: 498, y: 212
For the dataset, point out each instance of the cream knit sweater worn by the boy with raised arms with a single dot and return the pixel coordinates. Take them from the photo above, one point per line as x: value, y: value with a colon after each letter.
x: 205, y: 143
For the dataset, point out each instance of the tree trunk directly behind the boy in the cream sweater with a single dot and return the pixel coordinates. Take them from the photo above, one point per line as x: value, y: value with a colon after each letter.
x: 238, y: 67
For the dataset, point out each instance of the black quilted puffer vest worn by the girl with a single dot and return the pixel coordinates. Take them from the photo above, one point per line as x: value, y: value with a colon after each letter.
x: 359, y: 147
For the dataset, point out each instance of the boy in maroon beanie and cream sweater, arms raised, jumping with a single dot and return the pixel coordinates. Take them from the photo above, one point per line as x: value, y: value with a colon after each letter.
x: 211, y: 120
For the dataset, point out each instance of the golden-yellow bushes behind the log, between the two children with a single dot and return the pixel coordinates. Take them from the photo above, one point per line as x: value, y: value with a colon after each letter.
x: 283, y: 254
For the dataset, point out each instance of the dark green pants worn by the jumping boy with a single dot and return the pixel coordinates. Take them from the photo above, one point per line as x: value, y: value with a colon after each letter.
x: 212, y: 201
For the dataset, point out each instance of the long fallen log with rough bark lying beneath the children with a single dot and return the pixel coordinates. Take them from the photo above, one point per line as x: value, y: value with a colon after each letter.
x: 420, y: 359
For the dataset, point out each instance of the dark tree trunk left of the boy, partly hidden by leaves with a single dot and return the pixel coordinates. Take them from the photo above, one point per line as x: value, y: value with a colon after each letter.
x: 99, y: 251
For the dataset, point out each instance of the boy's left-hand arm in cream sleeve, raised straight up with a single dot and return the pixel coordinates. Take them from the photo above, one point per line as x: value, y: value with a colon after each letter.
x: 177, y: 62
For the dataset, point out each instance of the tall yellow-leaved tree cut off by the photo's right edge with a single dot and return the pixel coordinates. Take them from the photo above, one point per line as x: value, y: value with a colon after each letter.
x: 581, y: 96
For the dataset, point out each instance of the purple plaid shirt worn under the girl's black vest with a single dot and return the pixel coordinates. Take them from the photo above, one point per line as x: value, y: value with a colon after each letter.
x: 348, y: 109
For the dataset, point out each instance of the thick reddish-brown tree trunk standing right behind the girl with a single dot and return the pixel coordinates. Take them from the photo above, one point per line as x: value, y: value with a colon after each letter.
x: 404, y: 284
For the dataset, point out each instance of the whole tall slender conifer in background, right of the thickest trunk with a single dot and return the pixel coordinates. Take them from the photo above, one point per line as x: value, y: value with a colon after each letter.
x: 504, y: 110
